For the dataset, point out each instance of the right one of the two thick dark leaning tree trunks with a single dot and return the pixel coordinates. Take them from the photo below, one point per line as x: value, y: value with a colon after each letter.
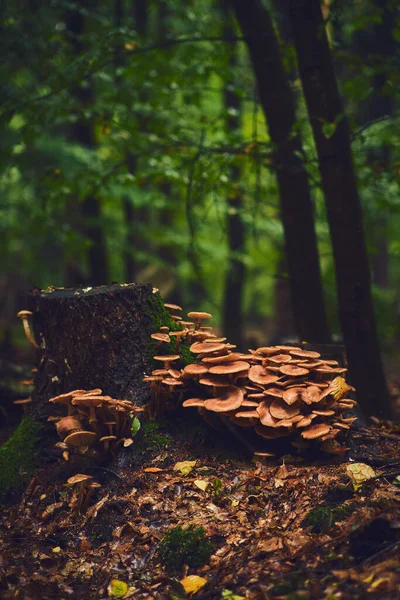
x: 332, y: 139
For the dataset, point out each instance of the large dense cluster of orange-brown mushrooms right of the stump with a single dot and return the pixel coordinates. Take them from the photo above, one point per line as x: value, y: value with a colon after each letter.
x: 278, y: 391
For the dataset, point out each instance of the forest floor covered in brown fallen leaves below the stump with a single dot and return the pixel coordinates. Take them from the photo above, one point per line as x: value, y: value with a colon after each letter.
x: 283, y: 528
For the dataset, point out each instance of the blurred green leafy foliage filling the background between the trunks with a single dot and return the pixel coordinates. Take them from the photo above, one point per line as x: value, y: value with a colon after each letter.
x: 160, y: 148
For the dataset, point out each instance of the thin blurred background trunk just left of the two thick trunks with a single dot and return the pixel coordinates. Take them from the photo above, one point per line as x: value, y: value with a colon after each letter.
x: 232, y: 318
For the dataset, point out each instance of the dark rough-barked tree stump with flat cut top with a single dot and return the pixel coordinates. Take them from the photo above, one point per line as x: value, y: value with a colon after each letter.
x: 94, y: 338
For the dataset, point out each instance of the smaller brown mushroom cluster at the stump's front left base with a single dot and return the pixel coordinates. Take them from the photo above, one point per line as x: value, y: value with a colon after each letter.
x: 93, y: 418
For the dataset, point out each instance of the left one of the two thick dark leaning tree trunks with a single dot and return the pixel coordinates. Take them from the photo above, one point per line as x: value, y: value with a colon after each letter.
x: 295, y: 198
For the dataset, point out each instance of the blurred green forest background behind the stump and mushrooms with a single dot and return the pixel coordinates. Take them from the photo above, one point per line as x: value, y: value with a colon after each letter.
x: 149, y: 141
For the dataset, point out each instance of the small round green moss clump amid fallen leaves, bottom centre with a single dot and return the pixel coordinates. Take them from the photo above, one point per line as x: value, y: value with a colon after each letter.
x: 187, y: 546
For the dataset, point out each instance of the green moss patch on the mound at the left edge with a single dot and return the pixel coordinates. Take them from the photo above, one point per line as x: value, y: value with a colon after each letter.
x: 17, y: 456
